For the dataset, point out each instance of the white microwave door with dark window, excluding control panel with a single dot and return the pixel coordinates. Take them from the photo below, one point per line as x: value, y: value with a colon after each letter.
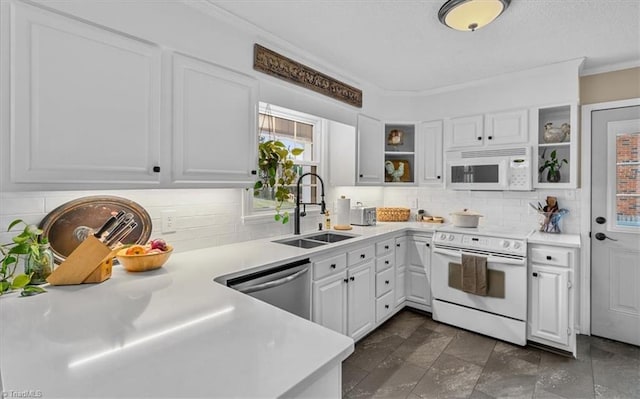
x: 477, y: 174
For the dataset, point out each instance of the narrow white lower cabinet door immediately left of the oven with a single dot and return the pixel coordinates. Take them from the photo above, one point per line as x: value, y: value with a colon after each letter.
x: 418, y: 272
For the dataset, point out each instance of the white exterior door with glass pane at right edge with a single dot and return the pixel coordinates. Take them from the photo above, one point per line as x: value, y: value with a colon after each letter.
x: 615, y: 224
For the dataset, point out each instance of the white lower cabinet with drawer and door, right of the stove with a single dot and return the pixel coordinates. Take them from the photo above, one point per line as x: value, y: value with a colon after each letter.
x: 552, y: 297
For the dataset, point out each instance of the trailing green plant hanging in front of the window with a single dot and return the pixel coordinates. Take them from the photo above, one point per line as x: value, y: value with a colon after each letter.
x: 276, y: 172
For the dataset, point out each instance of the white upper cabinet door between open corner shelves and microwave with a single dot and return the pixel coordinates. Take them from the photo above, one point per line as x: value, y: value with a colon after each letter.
x: 430, y: 138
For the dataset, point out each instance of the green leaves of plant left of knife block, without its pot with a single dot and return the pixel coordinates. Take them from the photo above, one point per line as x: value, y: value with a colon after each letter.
x: 26, y: 244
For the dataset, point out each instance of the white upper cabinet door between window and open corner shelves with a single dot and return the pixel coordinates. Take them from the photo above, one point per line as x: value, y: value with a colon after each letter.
x: 370, y: 156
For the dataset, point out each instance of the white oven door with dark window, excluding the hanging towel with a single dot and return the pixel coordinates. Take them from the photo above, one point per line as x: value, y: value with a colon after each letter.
x: 507, y: 296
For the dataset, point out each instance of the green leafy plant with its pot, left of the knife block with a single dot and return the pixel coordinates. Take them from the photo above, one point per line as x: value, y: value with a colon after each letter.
x: 38, y: 260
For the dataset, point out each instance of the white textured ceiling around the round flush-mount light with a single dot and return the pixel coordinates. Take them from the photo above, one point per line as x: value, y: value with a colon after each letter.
x: 400, y: 45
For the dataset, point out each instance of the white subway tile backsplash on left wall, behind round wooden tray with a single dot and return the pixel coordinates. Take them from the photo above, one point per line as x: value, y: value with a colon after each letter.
x: 203, y: 217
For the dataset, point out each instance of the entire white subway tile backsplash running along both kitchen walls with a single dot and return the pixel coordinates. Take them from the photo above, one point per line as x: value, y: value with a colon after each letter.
x: 212, y: 217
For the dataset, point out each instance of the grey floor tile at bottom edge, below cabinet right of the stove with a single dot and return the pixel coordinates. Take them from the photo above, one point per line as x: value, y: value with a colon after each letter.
x: 564, y: 376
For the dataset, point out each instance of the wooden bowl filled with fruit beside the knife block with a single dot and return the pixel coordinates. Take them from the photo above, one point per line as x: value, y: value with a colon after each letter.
x: 141, y: 258
